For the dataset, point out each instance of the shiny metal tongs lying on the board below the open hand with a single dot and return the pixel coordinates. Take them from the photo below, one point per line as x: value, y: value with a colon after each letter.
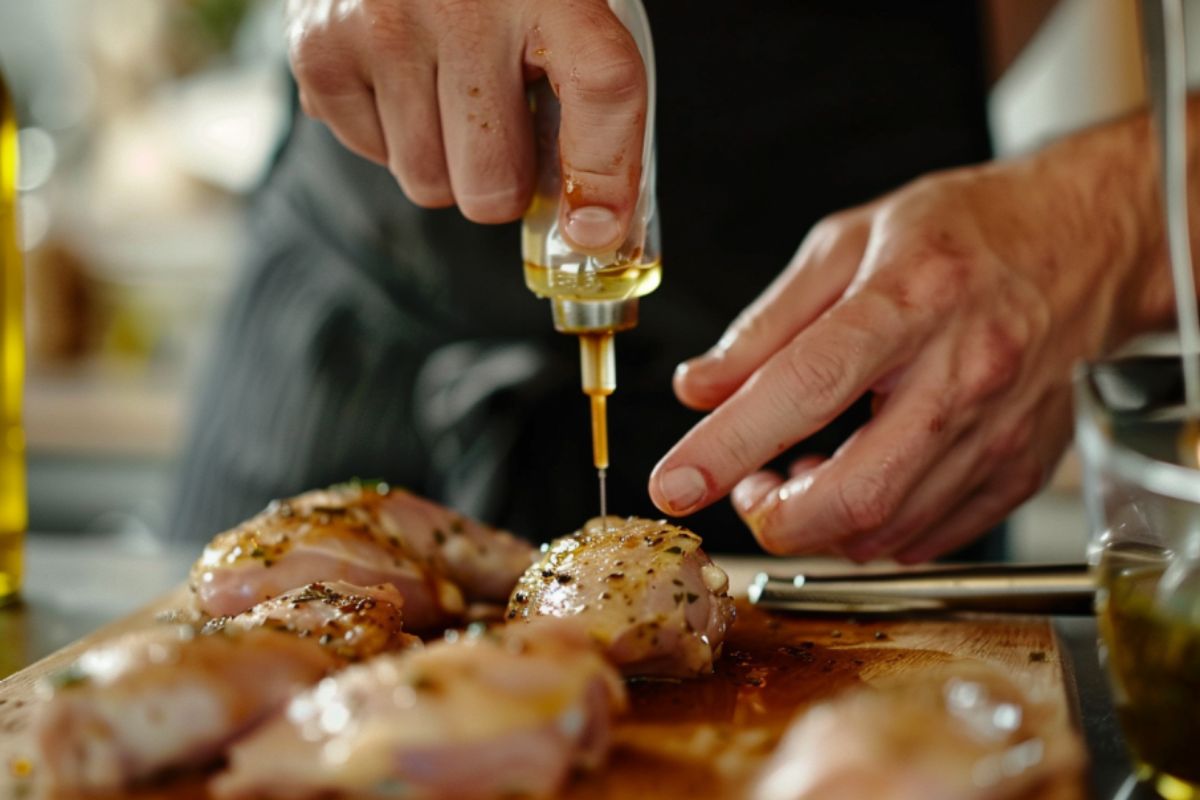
x: 993, y: 588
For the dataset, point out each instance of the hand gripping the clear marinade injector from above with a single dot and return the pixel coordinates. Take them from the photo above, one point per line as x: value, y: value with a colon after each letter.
x: 436, y: 91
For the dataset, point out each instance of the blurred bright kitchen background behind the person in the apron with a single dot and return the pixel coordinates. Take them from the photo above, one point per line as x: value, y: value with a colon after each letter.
x: 147, y: 123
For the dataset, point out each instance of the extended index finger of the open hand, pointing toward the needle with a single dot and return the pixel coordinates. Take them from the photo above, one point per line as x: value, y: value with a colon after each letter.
x: 796, y: 393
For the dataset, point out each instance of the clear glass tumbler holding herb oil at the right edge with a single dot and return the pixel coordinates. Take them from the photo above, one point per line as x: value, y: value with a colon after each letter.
x: 1142, y: 488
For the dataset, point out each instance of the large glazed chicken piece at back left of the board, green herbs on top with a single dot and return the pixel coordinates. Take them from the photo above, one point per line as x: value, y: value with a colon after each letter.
x: 365, y: 536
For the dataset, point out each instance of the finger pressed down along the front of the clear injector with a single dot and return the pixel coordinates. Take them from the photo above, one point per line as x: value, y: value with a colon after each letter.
x: 597, y: 73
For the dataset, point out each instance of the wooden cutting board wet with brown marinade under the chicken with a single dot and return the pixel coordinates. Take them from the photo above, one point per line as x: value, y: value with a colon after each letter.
x: 699, y: 738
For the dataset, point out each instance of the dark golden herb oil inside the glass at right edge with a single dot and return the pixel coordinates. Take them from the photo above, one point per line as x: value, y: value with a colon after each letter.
x: 1154, y: 661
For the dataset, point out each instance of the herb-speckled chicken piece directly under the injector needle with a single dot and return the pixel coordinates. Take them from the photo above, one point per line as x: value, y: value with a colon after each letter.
x: 644, y: 591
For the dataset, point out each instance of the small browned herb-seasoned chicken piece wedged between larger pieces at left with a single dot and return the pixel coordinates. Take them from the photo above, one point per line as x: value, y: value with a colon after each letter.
x: 353, y: 622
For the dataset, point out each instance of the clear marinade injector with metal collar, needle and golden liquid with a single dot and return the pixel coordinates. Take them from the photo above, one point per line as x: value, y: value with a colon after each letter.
x: 593, y: 296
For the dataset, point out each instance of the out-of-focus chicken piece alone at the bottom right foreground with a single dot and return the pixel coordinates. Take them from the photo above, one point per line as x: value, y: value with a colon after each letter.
x: 964, y: 736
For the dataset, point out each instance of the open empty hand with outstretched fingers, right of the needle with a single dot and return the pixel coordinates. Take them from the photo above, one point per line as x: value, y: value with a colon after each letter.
x: 962, y: 302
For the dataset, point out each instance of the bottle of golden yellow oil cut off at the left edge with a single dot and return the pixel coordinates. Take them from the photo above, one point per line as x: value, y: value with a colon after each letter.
x: 13, y: 363
